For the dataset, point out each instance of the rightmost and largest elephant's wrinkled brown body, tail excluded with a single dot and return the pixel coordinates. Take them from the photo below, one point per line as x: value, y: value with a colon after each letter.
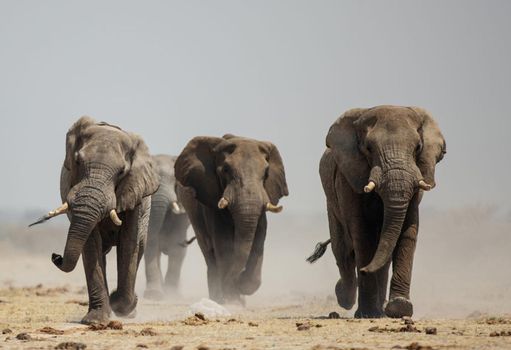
x: 395, y: 147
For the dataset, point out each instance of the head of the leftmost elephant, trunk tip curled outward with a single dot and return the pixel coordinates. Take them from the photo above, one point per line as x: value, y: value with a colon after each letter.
x: 106, y: 171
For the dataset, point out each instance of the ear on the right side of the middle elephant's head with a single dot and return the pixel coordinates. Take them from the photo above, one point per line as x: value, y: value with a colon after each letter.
x: 275, y: 183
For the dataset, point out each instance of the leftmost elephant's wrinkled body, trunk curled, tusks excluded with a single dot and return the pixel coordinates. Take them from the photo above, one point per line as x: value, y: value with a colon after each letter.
x: 106, y: 168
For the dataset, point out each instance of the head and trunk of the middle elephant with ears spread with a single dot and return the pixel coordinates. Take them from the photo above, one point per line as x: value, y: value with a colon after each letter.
x: 238, y: 176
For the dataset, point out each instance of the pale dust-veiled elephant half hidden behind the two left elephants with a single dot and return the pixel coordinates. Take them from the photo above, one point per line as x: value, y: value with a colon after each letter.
x: 167, y: 233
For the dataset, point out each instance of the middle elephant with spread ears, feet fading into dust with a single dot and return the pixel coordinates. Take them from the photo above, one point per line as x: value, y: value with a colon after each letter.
x: 226, y: 186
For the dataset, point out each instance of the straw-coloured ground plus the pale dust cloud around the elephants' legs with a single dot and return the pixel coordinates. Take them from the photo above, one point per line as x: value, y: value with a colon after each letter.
x: 456, y: 295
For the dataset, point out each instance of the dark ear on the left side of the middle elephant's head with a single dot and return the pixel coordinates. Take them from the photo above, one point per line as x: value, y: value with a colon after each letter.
x: 196, y: 167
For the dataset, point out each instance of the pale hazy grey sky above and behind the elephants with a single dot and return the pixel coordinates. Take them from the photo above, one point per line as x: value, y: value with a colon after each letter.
x: 276, y: 70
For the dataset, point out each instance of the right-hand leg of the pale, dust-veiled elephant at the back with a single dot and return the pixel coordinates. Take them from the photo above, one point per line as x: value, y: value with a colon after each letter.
x: 176, y: 252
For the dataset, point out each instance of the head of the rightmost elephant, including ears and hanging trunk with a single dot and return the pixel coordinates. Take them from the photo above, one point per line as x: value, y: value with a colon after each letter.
x: 393, y: 151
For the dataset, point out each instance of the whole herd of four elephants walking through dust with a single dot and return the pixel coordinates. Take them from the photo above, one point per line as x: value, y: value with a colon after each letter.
x: 377, y: 164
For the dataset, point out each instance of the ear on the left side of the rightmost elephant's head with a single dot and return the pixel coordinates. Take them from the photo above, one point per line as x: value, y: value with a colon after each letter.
x: 342, y: 140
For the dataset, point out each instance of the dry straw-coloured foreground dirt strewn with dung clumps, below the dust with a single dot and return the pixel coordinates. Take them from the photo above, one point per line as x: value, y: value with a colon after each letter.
x: 47, y: 318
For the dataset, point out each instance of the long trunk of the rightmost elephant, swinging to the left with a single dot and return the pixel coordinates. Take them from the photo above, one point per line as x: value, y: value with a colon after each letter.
x: 396, y: 189
